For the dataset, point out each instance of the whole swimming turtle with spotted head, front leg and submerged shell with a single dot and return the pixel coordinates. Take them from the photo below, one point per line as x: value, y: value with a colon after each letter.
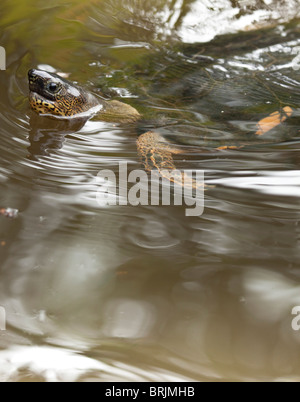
x: 233, y: 105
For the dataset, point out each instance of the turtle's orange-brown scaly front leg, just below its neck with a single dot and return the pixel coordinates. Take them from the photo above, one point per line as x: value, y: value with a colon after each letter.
x: 157, y: 154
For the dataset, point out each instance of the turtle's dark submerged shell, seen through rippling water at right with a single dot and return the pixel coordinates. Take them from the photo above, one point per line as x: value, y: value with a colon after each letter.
x: 239, y: 88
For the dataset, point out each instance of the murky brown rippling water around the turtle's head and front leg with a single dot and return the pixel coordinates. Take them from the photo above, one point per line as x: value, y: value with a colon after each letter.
x: 145, y: 293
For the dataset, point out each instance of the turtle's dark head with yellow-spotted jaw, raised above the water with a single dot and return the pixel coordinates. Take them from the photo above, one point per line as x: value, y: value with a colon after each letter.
x: 52, y: 94
